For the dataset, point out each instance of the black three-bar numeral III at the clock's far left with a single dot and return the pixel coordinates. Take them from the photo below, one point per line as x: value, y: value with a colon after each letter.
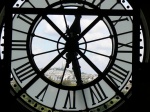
x: 18, y: 45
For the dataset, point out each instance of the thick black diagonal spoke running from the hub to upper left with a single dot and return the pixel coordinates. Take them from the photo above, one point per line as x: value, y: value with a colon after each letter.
x: 55, y: 27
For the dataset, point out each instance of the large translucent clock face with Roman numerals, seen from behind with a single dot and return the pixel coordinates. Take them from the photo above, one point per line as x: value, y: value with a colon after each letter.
x: 70, y: 55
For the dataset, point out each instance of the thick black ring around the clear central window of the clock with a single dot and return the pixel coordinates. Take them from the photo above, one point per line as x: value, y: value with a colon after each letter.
x: 114, y: 40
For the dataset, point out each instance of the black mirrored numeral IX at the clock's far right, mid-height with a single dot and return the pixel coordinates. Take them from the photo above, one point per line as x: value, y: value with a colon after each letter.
x: 128, y: 47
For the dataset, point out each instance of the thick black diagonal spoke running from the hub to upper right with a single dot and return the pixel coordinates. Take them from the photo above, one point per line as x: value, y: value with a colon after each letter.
x: 90, y: 27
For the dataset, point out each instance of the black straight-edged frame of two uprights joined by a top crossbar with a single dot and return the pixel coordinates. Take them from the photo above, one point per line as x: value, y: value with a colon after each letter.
x: 136, y: 27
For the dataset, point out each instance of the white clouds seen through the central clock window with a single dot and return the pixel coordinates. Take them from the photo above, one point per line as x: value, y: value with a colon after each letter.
x: 98, y: 31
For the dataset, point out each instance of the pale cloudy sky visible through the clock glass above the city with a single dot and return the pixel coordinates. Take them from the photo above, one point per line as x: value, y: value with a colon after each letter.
x: 45, y: 30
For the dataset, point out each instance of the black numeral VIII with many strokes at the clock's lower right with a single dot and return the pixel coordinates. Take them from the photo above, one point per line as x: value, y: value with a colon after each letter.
x: 117, y: 75
